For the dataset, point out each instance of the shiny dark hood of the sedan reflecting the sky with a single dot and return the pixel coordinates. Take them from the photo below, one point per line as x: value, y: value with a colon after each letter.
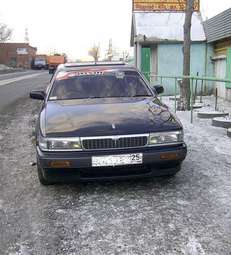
x: 101, y: 117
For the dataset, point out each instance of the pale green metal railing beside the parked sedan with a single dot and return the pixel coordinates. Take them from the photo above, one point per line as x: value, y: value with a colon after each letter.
x: 193, y: 87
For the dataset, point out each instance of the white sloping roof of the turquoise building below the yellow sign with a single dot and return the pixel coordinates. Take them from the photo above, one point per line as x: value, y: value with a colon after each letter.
x: 165, y: 26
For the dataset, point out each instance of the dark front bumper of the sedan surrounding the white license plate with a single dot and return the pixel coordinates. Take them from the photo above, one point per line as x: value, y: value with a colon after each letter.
x: 157, y: 161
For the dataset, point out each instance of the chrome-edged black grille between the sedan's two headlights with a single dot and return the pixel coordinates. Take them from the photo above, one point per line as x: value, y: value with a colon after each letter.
x: 114, y: 142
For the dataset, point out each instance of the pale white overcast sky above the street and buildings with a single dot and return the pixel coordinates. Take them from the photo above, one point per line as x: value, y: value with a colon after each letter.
x: 73, y: 26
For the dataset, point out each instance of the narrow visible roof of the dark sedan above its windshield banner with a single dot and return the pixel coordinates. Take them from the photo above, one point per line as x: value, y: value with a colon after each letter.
x: 96, y: 65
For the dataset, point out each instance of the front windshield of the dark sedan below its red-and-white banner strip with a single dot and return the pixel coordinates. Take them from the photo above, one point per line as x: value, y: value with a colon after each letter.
x: 99, y: 86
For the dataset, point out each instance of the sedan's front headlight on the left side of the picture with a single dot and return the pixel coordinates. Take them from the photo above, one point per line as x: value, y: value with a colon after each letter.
x: 59, y: 144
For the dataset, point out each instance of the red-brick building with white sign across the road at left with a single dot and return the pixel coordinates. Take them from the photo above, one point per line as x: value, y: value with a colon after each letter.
x: 17, y: 54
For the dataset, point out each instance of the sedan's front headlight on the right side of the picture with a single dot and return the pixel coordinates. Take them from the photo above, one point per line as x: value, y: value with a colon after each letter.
x: 166, y: 137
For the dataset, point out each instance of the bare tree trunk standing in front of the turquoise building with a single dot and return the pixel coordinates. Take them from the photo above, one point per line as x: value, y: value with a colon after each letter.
x: 185, y: 88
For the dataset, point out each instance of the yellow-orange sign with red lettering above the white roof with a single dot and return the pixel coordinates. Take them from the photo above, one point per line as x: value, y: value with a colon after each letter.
x: 163, y: 5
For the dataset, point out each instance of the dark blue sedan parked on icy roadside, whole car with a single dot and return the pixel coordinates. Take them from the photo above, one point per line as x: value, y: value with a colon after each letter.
x: 104, y: 121
